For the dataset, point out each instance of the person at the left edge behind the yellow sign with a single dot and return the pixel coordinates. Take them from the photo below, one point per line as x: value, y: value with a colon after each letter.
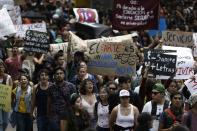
x: 5, y: 79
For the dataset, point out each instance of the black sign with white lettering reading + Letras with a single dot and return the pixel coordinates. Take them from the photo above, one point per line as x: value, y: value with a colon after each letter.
x: 159, y: 62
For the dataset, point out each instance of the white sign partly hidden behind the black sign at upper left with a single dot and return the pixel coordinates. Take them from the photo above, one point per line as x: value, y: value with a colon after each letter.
x: 21, y: 29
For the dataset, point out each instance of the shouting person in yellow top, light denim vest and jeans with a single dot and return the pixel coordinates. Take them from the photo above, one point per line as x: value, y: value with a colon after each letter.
x: 22, y: 99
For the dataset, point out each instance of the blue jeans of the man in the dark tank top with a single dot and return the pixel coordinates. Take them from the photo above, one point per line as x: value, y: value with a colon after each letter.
x: 42, y: 123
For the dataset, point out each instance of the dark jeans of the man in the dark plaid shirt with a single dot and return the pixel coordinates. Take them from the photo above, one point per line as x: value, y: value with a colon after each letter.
x: 54, y: 125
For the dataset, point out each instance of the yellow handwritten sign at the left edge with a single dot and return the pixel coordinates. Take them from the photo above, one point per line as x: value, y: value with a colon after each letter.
x: 5, y: 97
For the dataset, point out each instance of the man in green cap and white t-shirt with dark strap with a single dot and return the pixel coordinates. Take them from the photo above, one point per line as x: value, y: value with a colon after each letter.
x: 157, y: 105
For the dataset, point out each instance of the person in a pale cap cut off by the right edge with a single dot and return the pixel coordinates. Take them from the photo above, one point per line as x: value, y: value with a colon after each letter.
x: 189, y: 118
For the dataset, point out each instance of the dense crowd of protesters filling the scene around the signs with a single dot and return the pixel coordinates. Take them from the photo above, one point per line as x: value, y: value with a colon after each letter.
x: 60, y: 95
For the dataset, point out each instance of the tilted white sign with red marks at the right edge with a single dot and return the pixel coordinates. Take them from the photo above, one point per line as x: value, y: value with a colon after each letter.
x: 192, y: 85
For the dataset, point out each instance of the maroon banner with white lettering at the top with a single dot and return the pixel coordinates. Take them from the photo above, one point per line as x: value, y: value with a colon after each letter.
x: 135, y: 14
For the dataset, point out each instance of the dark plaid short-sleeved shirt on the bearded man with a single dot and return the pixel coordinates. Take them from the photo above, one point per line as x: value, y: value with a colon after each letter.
x: 60, y: 95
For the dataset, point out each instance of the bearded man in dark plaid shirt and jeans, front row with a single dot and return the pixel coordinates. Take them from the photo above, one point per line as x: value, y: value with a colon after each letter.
x: 58, y: 98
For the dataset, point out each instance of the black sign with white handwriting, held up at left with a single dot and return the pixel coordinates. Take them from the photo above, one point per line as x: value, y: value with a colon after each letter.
x: 36, y: 42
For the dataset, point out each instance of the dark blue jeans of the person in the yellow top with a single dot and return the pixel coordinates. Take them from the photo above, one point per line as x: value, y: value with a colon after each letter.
x: 24, y: 122
